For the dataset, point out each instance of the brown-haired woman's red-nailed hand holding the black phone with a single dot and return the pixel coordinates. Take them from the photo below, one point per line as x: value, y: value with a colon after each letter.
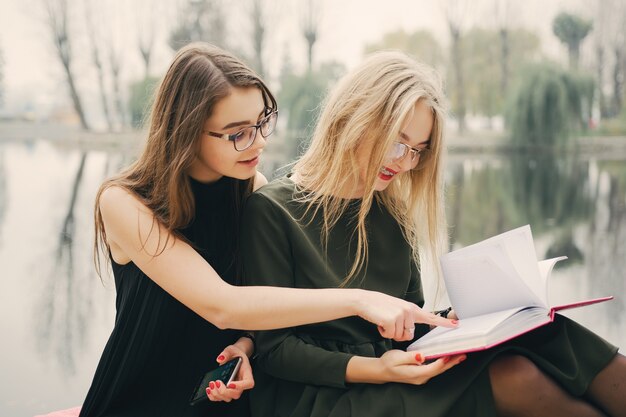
x: 217, y: 391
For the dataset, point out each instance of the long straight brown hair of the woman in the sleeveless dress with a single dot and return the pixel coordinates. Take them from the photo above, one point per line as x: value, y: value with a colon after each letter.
x: 199, y: 76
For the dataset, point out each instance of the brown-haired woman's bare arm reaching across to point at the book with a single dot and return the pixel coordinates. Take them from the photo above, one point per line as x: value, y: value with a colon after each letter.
x: 134, y: 234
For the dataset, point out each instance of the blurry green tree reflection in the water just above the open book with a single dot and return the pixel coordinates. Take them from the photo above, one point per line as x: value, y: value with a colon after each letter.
x: 547, y: 192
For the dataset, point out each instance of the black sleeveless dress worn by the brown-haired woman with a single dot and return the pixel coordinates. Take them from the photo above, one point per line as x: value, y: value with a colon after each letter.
x: 159, y: 349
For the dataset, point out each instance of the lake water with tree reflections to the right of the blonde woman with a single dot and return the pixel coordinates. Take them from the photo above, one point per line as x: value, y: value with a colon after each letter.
x: 576, y: 207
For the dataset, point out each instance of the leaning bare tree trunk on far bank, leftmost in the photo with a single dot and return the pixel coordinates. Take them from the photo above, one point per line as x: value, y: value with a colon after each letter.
x: 57, y: 19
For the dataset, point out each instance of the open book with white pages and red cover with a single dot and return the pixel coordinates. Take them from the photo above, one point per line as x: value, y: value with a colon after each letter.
x: 498, y: 290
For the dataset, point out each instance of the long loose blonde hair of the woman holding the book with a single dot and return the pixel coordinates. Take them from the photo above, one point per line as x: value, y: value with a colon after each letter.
x: 372, y: 102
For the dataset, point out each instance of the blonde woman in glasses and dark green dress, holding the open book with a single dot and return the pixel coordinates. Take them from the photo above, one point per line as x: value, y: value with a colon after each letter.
x: 362, y: 208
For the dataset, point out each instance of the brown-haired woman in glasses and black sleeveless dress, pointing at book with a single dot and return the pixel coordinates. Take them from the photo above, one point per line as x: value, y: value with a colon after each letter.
x: 170, y: 223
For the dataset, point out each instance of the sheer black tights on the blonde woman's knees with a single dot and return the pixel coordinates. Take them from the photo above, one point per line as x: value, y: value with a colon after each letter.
x: 521, y: 389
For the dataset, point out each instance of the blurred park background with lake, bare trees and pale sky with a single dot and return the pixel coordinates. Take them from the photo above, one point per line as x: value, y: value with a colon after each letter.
x: 537, y: 135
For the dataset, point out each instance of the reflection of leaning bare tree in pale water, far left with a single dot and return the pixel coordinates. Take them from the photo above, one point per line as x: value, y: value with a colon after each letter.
x: 66, y: 304
